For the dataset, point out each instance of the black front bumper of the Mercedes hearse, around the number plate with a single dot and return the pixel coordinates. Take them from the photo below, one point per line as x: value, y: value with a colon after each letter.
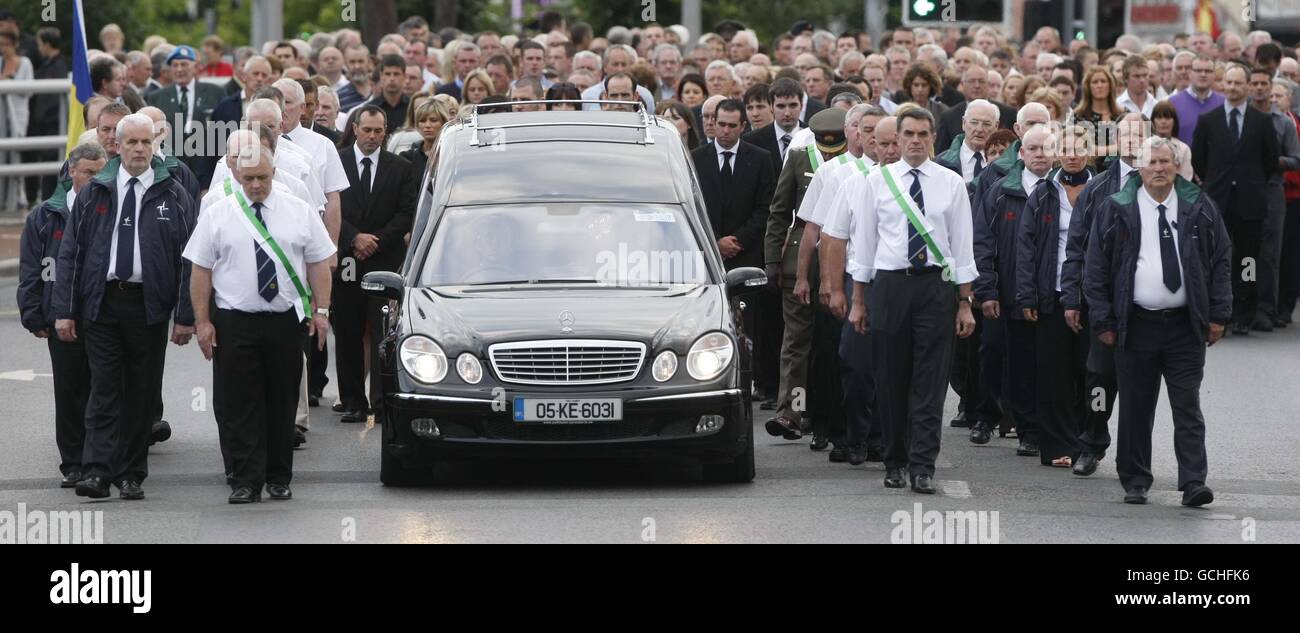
x: 656, y: 424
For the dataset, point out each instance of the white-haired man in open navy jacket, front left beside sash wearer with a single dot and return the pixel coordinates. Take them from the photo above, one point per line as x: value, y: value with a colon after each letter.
x: 124, y: 281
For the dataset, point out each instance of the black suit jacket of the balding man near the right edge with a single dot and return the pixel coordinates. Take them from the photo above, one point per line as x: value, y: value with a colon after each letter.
x: 1249, y: 163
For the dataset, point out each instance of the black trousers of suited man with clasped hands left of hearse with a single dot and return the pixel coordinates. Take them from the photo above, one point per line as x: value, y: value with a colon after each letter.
x: 353, y: 315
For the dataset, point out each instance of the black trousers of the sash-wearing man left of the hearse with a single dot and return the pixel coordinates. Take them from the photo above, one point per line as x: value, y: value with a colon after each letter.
x: 259, y: 366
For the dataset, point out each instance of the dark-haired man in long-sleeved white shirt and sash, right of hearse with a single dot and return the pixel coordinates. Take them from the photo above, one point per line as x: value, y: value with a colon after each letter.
x: 913, y: 309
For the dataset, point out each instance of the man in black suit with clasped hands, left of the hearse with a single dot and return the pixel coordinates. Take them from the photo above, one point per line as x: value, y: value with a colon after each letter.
x: 379, y: 209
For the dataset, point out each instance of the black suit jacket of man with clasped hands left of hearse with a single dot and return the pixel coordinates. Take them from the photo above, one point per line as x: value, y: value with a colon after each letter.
x: 387, y: 213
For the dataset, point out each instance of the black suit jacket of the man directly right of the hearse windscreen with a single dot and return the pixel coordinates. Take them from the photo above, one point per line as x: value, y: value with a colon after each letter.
x: 743, y: 214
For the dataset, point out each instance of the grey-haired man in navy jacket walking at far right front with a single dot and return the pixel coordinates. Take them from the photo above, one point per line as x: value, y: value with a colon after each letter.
x: 1162, y: 313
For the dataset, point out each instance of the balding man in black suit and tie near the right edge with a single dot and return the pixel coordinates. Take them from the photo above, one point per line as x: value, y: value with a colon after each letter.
x: 1236, y: 153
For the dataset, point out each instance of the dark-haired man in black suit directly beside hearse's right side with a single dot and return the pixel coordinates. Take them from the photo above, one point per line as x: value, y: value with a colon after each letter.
x: 738, y: 181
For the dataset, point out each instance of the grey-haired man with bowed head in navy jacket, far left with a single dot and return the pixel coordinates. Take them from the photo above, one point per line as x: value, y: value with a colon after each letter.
x: 40, y: 245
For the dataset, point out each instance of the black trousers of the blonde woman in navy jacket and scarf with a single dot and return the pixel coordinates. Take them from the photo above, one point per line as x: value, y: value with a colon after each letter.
x: 1063, y: 358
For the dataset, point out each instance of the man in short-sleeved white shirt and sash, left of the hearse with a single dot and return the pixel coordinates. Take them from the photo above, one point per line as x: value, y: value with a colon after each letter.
x: 263, y: 313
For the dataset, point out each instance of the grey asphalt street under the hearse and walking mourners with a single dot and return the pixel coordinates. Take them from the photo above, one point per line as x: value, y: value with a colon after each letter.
x: 1251, y: 398
